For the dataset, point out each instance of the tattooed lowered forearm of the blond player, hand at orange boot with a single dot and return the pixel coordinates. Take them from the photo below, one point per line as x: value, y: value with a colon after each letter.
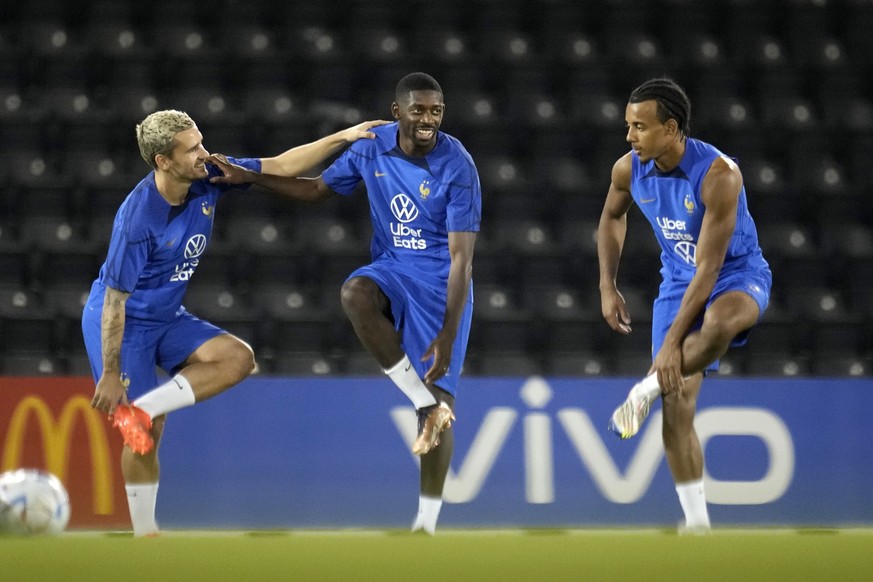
x: 110, y: 390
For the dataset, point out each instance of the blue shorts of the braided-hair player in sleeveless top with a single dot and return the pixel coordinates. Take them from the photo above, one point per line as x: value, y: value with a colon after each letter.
x: 755, y: 284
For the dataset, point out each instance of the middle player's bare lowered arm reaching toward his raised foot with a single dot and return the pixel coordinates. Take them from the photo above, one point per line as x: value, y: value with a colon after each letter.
x: 461, y: 245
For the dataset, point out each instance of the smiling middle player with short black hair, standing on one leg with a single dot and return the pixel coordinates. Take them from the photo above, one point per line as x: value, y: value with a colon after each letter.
x: 412, y: 306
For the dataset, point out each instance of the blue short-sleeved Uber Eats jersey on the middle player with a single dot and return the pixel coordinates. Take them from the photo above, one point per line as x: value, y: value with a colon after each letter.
x: 414, y: 202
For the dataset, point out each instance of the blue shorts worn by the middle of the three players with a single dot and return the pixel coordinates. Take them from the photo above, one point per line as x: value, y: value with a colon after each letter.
x: 418, y: 305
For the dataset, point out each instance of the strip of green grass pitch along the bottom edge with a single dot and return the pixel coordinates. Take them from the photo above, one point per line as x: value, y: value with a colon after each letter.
x: 452, y: 555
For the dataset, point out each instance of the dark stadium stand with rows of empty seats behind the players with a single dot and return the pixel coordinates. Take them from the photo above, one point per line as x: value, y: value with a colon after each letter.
x: 535, y: 90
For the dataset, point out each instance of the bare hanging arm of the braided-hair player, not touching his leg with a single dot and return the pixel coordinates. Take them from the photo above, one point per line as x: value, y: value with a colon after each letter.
x: 610, y: 240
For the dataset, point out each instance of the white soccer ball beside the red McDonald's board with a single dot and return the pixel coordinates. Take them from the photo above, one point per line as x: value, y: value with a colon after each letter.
x: 33, y: 502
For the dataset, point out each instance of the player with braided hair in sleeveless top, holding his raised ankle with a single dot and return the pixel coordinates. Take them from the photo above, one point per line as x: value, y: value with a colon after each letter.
x: 716, y: 283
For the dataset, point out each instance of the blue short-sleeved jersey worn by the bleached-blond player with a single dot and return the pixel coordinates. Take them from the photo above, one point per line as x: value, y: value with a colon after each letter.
x: 155, y: 247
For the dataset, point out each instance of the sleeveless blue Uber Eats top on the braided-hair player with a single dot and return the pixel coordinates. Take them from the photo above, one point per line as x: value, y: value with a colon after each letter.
x: 672, y: 204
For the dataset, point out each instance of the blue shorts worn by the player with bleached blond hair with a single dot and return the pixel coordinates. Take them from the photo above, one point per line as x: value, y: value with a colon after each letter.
x: 146, y: 347
